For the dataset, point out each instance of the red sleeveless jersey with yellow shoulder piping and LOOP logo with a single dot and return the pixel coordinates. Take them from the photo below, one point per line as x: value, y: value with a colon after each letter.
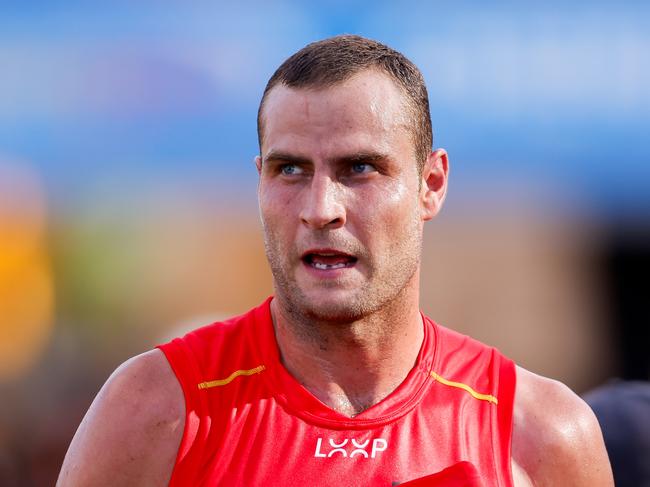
x: 249, y: 422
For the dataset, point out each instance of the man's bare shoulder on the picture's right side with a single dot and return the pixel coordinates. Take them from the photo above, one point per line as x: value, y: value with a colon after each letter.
x: 556, y: 436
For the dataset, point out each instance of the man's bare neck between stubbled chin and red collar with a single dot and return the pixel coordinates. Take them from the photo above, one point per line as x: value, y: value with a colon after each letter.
x: 351, y: 367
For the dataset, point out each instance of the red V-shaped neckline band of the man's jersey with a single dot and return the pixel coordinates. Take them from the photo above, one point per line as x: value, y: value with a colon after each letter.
x: 295, y: 398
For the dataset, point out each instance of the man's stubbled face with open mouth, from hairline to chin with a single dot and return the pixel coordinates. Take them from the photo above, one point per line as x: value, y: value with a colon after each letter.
x: 340, y: 197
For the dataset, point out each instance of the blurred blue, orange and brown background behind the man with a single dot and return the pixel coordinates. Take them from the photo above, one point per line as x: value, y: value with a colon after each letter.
x: 128, y: 208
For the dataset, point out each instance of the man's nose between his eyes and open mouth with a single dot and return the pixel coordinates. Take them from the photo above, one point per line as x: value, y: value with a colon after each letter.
x: 323, y: 206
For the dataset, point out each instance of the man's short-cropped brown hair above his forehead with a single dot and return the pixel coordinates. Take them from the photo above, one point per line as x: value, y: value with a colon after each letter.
x: 330, y: 61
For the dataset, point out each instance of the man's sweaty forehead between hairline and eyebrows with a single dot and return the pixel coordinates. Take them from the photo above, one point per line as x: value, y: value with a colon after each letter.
x: 369, y: 108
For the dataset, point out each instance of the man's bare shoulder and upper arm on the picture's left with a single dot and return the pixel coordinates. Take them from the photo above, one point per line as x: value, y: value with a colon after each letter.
x: 132, y: 431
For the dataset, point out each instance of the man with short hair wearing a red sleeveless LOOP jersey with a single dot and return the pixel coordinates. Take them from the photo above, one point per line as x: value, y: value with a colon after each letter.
x: 338, y: 379
